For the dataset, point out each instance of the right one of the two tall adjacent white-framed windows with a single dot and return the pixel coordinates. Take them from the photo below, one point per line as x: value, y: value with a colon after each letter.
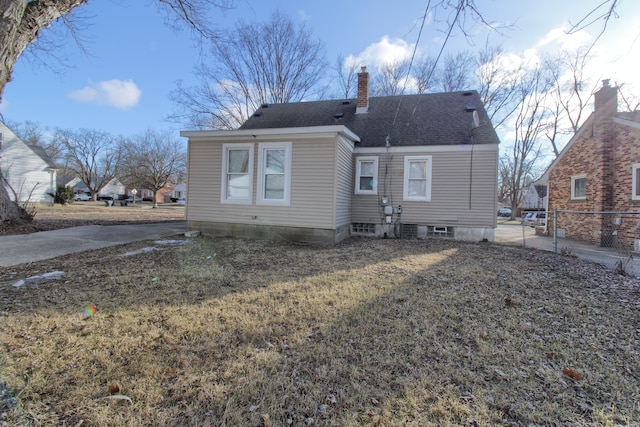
x: 274, y: 173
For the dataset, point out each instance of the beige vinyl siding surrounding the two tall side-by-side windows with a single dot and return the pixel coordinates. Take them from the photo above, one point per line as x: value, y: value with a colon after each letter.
x: 312, y: 187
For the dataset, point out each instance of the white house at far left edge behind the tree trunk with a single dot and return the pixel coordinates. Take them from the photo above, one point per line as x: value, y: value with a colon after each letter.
x: 28, y: 171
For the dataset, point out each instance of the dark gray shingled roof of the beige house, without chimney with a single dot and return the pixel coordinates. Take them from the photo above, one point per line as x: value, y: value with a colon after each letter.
x: 429, y: 119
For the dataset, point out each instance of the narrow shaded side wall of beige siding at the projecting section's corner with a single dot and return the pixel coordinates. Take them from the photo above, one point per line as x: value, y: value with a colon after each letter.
x: 344, y: 182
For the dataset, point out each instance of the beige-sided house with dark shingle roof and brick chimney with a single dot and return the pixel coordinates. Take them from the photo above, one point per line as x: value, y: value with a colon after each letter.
x: 406, y: 166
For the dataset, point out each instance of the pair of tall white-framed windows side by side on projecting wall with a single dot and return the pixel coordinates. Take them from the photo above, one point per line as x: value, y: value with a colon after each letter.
x: 274, y: 173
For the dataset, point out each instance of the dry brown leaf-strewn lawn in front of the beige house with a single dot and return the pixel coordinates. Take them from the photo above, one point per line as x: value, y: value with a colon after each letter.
x: 369, y: 332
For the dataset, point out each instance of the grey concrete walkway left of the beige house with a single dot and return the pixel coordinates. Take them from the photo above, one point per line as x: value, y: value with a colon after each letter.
x: 22, y: 248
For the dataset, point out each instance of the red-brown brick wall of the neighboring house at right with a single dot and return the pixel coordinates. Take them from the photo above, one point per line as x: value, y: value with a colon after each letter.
x: 605, y: 151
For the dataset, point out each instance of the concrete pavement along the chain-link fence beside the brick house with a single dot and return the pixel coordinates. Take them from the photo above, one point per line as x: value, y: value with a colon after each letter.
x: 516, y: 234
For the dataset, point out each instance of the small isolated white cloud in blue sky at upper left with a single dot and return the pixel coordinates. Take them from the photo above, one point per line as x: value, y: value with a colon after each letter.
x: 122, y: 94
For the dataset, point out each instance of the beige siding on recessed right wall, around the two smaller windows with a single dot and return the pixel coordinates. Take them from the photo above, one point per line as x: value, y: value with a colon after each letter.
x: 449, y: 203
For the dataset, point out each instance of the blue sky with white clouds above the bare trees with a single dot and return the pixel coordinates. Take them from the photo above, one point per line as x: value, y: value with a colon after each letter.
x: 122, y: 85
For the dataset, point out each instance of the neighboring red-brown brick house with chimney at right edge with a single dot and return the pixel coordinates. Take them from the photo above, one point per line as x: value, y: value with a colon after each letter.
x: 599, y: 171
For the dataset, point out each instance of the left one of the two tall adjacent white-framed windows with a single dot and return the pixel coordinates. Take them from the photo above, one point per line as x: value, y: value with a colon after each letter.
x: 236, y: 173
